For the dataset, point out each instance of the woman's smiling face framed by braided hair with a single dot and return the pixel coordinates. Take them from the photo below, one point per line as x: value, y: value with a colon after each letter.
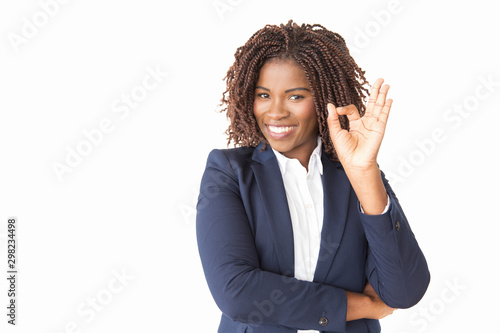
x: 284, y: 109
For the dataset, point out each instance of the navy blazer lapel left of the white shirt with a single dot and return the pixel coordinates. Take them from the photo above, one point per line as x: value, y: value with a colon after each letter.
x: 271, y: 187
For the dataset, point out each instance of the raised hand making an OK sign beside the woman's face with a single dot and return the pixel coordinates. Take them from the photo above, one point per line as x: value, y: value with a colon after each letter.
x: 357, y: 148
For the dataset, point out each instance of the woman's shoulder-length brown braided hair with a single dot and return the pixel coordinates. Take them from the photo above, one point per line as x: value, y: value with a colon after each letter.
x: 332, y: 73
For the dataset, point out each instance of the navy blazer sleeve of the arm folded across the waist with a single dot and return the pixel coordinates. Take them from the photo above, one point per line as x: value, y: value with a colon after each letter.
x: 242, y: 290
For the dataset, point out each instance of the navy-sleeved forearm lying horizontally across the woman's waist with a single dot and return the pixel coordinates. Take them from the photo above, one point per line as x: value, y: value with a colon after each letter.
x: 270, y: 298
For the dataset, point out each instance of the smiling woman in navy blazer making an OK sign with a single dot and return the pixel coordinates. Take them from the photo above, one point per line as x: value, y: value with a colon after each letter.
x: 298, y: 230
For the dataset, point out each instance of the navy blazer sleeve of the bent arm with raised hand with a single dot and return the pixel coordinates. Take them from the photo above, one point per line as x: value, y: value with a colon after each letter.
x: 396, y: 266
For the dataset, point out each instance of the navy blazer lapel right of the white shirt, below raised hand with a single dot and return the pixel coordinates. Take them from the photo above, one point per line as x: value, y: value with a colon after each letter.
x: 336, y: 189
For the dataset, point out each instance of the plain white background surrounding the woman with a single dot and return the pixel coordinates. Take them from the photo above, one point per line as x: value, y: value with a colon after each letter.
x: 128, y: 206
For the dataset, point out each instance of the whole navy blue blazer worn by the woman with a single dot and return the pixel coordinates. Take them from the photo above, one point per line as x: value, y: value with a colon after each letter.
x: 245, y: 242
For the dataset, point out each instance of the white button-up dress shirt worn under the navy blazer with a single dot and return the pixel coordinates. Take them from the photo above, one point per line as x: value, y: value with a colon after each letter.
x: 304, y: 193
